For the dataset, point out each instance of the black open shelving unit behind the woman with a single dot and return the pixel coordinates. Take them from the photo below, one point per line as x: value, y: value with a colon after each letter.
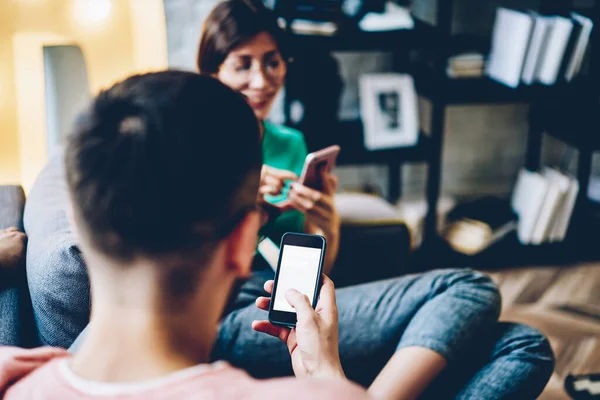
x: 432, y: 82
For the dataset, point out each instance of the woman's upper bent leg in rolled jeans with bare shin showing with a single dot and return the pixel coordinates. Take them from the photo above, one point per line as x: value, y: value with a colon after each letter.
x: 404, y: 331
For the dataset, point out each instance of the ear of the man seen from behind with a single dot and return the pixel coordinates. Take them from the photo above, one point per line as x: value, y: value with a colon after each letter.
x: 241, y: 245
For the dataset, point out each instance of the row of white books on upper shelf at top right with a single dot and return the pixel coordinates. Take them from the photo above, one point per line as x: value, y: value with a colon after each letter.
x: 531, y: 48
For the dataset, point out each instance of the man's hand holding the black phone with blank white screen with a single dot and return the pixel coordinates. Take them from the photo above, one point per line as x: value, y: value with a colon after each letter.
x: 313, y: 343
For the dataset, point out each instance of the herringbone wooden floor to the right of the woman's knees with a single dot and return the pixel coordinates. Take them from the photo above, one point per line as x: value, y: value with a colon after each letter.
x: 564, y: 303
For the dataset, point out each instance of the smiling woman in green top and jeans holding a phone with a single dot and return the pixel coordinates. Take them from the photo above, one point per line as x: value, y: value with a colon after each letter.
x: 433, y: 335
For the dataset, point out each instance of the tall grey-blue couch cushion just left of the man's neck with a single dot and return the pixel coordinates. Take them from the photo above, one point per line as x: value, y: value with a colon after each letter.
x: 56, y: 272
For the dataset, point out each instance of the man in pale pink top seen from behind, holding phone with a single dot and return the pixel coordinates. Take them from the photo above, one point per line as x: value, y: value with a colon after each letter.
x: 163, y: 173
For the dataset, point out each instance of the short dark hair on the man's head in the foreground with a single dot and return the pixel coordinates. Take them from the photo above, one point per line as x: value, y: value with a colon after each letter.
x: 163, y: 163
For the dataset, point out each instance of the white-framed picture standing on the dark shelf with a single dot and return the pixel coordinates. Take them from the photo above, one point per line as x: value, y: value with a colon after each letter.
x: 389, y: 111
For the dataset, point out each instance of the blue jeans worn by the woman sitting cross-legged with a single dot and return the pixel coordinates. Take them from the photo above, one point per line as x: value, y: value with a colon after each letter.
x: 453, y: 312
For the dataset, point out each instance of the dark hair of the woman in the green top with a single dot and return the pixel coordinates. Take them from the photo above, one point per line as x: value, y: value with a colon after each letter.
x: 230, y: 24
